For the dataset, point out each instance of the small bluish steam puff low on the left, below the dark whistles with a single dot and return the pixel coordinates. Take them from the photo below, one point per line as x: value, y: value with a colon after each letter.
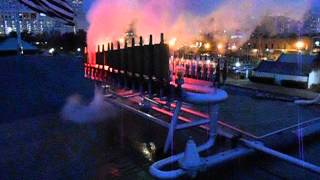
x: 97, y: 110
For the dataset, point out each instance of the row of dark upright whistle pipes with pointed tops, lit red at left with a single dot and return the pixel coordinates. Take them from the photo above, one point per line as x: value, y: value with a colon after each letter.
x: 134, y: 64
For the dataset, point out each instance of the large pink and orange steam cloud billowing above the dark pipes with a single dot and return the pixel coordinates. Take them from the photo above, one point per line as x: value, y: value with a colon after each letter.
x: 182, y: 19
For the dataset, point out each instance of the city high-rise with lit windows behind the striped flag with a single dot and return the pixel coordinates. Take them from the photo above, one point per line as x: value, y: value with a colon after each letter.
x: 34, y: 22
